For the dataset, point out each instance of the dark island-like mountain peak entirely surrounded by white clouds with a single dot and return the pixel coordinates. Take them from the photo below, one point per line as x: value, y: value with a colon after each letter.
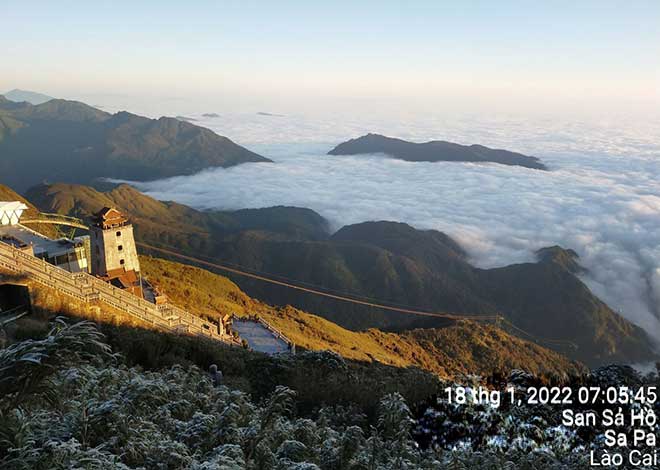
x: 434, y: 151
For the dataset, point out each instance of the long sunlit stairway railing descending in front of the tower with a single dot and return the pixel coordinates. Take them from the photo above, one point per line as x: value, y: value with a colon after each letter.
x: 87, y: 288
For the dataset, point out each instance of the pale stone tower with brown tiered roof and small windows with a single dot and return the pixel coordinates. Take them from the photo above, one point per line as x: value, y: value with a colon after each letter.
x: 113, y: 247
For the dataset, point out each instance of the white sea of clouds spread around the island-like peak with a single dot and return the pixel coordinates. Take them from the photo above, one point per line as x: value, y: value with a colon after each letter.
x: 601, y: 197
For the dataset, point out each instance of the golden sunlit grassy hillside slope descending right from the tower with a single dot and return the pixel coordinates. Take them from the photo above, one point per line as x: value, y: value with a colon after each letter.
x: 459, y: 348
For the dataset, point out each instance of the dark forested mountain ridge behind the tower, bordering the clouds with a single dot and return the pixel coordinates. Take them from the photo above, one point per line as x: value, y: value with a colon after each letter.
x: 390, y: 262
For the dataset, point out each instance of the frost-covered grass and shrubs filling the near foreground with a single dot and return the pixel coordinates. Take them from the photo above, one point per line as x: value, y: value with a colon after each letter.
x: 68, y: 402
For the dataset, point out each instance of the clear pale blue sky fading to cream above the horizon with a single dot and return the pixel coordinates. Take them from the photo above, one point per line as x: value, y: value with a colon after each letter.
x: 564, y: 56
